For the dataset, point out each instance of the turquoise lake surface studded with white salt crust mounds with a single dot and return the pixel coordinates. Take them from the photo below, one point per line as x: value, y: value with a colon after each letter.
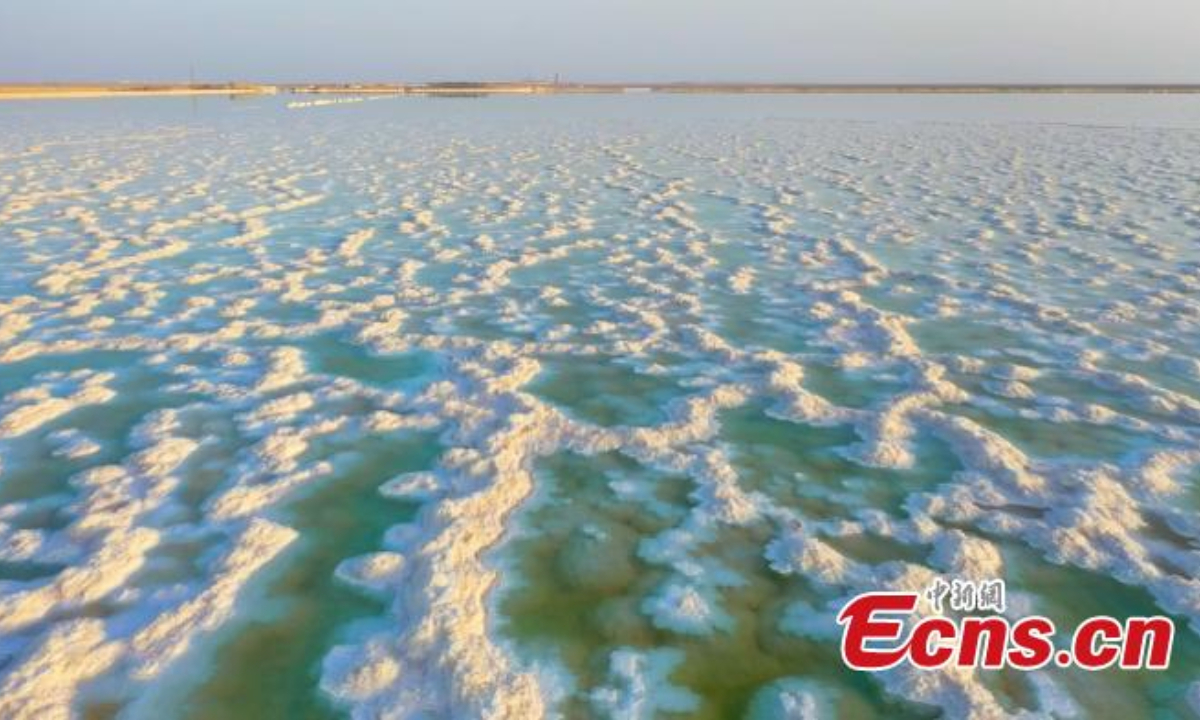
x: 829, y: 357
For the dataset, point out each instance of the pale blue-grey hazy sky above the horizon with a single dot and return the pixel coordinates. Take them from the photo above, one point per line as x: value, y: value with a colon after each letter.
x: 1153, y: 41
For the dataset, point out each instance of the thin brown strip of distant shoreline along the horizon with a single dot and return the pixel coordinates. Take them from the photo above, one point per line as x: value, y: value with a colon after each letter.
x: 83, y: 91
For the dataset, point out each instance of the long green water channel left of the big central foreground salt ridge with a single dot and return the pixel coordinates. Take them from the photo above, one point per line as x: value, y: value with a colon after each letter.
x: 271, y: 670
